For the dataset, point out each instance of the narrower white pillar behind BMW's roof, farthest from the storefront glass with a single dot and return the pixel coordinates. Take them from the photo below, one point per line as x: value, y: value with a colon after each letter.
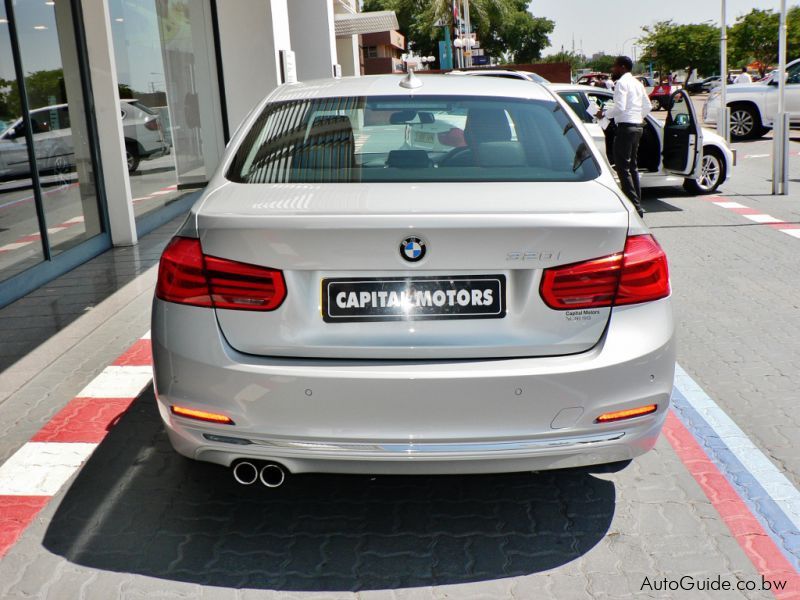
x: 312, y: 29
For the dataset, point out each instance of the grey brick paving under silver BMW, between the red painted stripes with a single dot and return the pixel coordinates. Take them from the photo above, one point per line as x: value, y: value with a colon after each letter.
x: 138, y: 520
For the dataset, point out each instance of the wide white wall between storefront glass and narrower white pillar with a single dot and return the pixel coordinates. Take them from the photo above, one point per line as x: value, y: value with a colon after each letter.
x: 252, y: 33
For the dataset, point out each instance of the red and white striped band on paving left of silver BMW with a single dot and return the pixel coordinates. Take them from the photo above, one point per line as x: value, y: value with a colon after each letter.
x: 38, y: 470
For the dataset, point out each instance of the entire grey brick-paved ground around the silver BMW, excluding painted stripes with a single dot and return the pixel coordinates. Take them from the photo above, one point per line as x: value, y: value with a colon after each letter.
x: 140, y: 522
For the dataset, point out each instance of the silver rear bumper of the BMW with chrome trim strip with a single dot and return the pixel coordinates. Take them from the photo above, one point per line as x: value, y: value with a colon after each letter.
x: 399, y: 417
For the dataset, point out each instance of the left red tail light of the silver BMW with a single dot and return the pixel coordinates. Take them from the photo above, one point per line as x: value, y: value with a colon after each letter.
x: 187, y: 276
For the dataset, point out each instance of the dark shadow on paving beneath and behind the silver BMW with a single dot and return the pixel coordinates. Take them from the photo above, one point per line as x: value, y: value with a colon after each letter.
x: 138, y: 507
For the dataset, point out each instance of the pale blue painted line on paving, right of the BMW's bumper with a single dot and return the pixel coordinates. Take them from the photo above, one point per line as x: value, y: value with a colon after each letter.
x: 775, y: 521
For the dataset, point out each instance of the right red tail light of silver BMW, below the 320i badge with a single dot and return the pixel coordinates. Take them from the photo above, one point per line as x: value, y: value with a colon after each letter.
x: 639, y: 274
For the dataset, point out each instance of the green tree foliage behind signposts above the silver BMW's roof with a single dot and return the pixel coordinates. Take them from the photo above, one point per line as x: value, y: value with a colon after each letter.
x: 504, y: 28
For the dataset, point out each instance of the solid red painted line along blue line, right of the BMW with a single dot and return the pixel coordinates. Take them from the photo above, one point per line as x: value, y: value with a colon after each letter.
x: 755, y: 542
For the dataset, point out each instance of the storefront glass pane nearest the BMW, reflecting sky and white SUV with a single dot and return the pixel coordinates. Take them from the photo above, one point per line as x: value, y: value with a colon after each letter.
x: 168, y: 89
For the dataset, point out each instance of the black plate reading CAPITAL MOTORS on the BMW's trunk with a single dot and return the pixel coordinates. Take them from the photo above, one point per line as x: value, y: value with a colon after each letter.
x: 413, y: 298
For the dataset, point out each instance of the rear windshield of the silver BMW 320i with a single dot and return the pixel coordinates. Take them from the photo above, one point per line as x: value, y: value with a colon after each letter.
x: 423, y: 138
